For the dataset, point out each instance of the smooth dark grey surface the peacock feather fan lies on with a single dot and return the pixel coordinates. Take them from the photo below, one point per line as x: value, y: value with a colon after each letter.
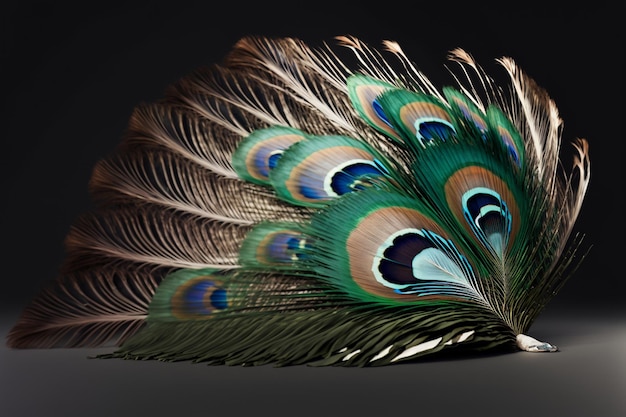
x: 587, y: 377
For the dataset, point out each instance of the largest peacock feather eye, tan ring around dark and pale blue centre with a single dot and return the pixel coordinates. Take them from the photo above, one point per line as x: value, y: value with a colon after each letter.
x: 398, y: 253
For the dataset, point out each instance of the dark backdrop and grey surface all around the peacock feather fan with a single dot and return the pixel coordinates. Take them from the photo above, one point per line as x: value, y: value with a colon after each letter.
x: 70, y: 79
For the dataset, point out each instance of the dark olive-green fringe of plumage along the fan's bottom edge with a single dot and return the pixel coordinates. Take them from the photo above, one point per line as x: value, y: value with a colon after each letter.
x: 350, y: 336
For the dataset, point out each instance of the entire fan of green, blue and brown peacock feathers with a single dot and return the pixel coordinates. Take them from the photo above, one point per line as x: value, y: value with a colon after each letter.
x: 284, y: 208
